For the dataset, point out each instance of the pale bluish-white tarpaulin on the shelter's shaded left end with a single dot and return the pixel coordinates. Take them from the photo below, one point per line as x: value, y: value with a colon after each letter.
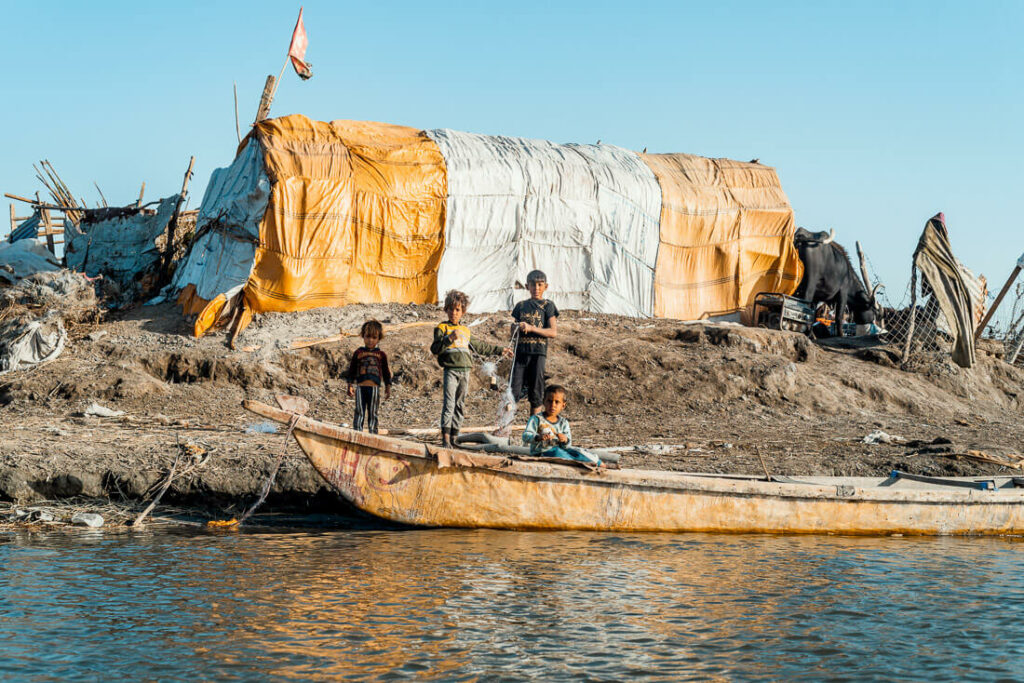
x: 229, y: 228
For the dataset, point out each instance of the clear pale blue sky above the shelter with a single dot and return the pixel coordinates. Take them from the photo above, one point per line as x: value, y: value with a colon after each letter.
x: 876, y: 115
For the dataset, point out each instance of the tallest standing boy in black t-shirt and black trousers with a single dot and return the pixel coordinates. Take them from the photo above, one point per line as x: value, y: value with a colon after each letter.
x: 537, y: 321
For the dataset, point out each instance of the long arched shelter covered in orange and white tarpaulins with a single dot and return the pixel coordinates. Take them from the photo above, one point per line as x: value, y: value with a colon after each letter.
x: 325, y: 215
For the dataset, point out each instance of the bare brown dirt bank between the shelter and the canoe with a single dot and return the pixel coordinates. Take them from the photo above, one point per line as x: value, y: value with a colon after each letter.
x: 696, y: 398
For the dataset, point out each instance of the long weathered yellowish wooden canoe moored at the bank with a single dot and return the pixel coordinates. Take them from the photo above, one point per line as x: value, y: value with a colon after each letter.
x: 422, y: 485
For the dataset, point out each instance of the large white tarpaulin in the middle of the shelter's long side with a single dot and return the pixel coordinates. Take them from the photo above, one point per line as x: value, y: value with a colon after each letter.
x: 587, y: 216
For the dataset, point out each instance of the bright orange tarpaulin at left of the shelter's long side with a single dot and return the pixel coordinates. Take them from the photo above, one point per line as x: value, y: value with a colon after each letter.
x: 357, y: 215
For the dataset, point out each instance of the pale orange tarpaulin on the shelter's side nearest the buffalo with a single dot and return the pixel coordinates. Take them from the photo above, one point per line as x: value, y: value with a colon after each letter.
x: 727, y: 234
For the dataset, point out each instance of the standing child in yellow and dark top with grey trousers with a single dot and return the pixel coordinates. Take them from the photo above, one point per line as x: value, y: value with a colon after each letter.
x: 453, y: 347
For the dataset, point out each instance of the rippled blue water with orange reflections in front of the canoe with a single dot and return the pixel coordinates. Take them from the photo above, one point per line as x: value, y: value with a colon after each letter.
x: 470, y: 606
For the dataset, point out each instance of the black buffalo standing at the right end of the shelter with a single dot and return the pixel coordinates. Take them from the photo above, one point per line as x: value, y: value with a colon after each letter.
x: 830, y: 278
